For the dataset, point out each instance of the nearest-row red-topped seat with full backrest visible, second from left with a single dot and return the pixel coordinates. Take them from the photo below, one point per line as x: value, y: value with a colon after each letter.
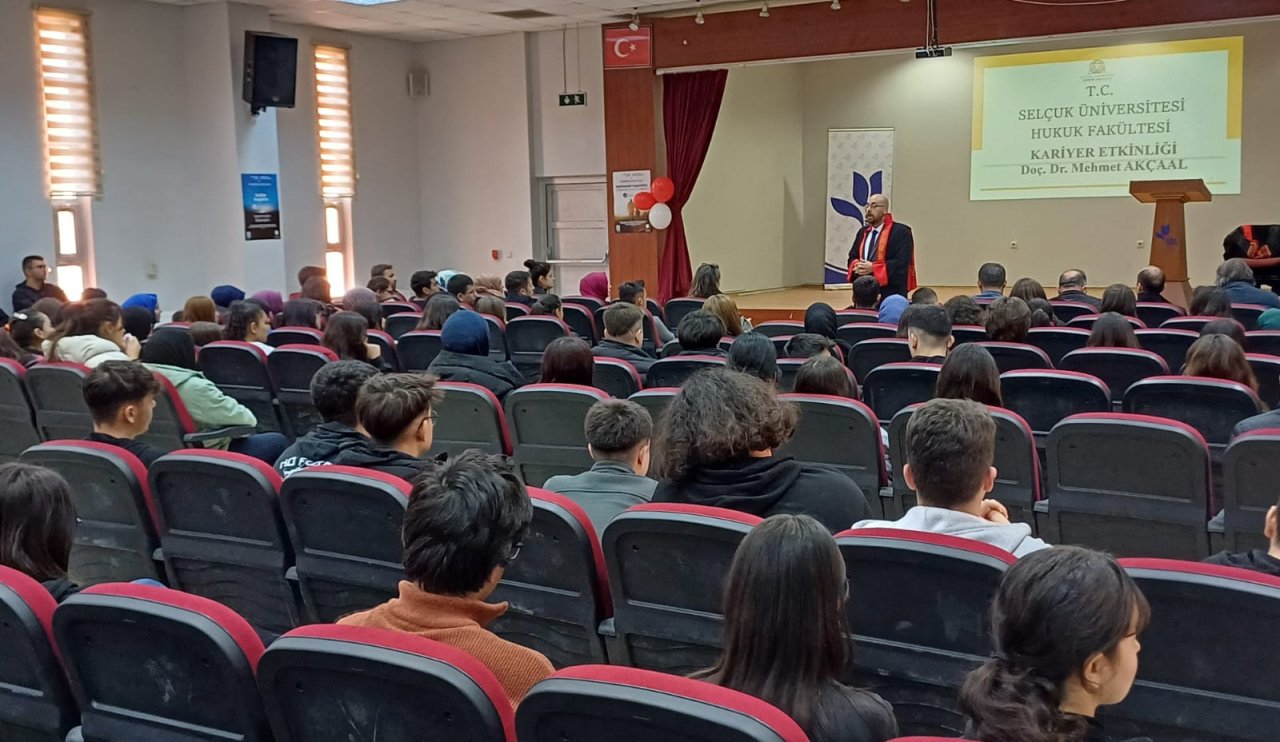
x: 132, y: 651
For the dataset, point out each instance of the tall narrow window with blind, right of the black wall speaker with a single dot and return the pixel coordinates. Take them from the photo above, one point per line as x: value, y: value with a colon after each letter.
x: 337, y: 154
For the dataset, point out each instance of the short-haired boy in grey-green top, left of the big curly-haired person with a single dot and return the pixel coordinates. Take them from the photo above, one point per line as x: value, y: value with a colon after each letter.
x: 618, y: 437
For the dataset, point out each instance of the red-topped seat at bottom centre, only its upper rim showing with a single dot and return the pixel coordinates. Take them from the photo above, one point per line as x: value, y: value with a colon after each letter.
x: 588, y: 702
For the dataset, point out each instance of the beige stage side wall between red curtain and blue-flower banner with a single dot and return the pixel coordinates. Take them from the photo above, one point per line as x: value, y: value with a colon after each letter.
x: 746, y: 212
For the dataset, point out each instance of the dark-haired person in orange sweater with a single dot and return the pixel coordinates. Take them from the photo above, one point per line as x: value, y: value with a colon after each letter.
x: 463, y: 528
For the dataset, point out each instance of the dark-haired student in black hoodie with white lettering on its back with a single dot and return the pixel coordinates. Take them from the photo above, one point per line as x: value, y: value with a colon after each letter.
x: 335, y: 390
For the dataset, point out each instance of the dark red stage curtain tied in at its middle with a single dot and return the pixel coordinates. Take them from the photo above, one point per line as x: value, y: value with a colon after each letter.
x: 691, y: 106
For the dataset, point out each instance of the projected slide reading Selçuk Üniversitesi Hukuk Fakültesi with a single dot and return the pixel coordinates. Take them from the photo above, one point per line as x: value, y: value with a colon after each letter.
x: 1086, y: 122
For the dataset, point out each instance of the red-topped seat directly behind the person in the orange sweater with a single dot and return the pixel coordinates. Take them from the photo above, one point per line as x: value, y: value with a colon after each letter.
x: 414, y: 689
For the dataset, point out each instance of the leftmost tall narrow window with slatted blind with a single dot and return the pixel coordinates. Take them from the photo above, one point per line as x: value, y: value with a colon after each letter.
x: 72, y: 167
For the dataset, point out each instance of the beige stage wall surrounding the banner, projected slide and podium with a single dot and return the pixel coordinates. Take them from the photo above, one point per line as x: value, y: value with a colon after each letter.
x: 929, y: 103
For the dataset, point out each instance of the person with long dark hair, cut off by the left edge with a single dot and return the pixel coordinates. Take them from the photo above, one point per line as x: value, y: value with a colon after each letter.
x: 38, y: 526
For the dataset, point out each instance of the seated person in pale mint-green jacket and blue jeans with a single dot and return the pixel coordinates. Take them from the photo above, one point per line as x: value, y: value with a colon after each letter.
x: 173, y: 355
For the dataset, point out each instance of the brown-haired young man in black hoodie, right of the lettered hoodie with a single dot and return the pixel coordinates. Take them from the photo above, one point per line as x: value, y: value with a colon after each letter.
x: 396, y: 411
